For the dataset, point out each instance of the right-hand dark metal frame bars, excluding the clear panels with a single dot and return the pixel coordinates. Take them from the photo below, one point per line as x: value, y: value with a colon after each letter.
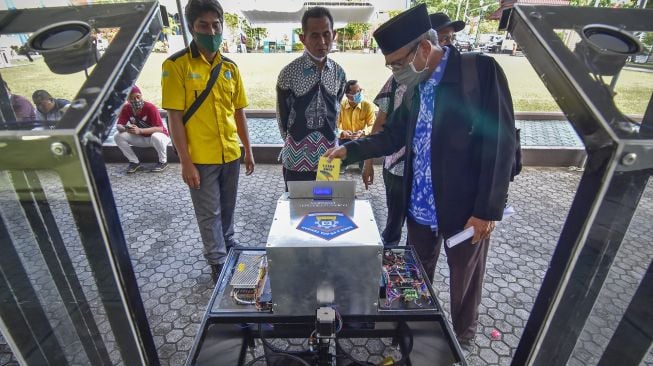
x: 618, y: 168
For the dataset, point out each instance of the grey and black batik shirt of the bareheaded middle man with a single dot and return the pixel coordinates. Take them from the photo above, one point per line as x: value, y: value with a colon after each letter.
x: 308, y: 103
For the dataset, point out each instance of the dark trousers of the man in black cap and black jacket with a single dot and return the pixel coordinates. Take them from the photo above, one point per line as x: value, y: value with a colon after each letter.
x: 466, y: 270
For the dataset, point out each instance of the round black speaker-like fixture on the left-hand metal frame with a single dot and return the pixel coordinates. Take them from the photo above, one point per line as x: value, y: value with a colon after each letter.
x: 66, y: 47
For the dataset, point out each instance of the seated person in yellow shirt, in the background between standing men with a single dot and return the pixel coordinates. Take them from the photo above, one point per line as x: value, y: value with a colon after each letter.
x: 356, y: 115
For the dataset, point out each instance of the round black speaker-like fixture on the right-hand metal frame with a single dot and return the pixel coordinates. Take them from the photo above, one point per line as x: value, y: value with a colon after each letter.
x: 605, y: 48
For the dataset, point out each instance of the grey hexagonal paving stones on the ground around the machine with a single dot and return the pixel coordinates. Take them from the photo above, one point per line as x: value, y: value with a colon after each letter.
x: 164, y: 243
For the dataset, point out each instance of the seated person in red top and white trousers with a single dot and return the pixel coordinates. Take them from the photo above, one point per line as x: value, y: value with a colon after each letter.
x: 140, y: 124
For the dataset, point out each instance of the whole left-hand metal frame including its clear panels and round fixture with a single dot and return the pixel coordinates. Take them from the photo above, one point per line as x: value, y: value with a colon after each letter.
x: 67, y: 66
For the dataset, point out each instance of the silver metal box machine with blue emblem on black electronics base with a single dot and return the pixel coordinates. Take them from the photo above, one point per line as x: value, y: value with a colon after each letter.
x: 324, y: 290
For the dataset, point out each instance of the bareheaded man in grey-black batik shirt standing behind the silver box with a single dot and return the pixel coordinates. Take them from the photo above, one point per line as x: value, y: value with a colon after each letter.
x: 309, y: 91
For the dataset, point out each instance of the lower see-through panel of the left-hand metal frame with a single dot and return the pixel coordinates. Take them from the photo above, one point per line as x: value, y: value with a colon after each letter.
x: 44, y: 235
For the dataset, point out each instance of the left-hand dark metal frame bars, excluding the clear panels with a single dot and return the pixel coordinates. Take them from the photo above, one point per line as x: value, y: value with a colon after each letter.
x: 72, y: 148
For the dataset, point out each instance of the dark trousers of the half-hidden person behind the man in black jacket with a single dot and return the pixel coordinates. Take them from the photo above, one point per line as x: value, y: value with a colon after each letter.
x: 394, y: 199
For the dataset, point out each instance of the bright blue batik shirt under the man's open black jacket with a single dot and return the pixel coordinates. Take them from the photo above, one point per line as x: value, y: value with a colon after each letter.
x: 421, y: 207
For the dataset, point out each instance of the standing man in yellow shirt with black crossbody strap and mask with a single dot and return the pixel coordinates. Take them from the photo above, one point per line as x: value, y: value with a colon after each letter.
x: 207, y: 140
